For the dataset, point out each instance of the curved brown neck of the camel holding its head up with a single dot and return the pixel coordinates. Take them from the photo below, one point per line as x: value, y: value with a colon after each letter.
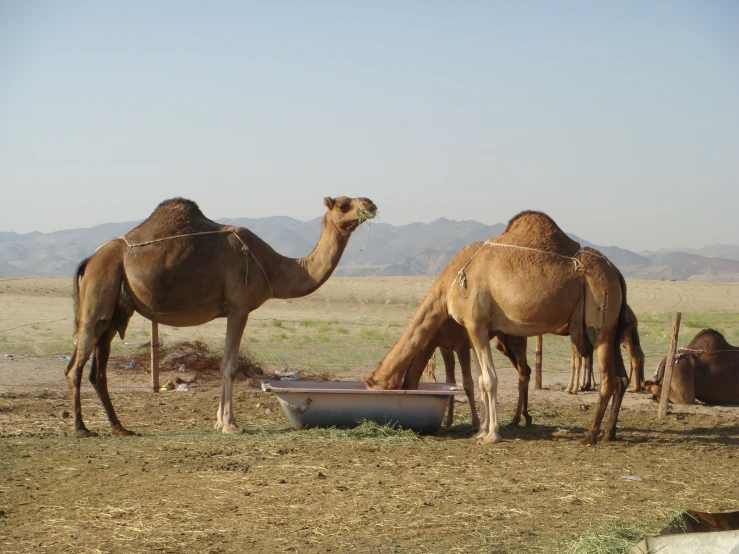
x: 296, y: 277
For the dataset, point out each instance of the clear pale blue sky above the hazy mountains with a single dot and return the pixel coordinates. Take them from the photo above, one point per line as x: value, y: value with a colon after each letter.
x: 618, y: 119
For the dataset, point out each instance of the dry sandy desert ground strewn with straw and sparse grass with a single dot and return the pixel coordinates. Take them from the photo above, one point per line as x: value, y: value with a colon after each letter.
x: 179, y: 486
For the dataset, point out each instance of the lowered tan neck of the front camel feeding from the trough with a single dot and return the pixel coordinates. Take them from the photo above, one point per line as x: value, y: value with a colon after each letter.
x: 428, y: 318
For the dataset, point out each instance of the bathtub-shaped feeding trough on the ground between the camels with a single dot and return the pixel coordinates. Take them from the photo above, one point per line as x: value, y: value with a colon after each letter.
x: 349, y: 403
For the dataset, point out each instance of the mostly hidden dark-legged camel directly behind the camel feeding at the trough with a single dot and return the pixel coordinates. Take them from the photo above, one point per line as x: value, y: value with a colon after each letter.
x: 452, y: 338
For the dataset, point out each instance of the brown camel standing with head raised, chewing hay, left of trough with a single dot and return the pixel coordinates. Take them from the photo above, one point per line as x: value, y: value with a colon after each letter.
x: 180, y: 268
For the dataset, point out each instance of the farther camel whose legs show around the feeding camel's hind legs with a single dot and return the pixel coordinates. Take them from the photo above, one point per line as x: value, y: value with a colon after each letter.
x: 630, y: 341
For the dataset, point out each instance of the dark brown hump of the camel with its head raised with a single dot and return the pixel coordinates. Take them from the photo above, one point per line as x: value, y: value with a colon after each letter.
x: 176, y: 216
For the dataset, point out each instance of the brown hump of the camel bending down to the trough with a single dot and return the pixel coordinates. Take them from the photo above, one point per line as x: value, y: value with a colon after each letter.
x: 537, y: 230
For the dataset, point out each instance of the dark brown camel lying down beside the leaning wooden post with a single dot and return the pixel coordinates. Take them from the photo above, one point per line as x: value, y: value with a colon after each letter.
x: 707, y: 370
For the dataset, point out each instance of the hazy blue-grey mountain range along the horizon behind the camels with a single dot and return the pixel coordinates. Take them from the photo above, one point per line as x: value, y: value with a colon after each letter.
x: 375, y: 249
